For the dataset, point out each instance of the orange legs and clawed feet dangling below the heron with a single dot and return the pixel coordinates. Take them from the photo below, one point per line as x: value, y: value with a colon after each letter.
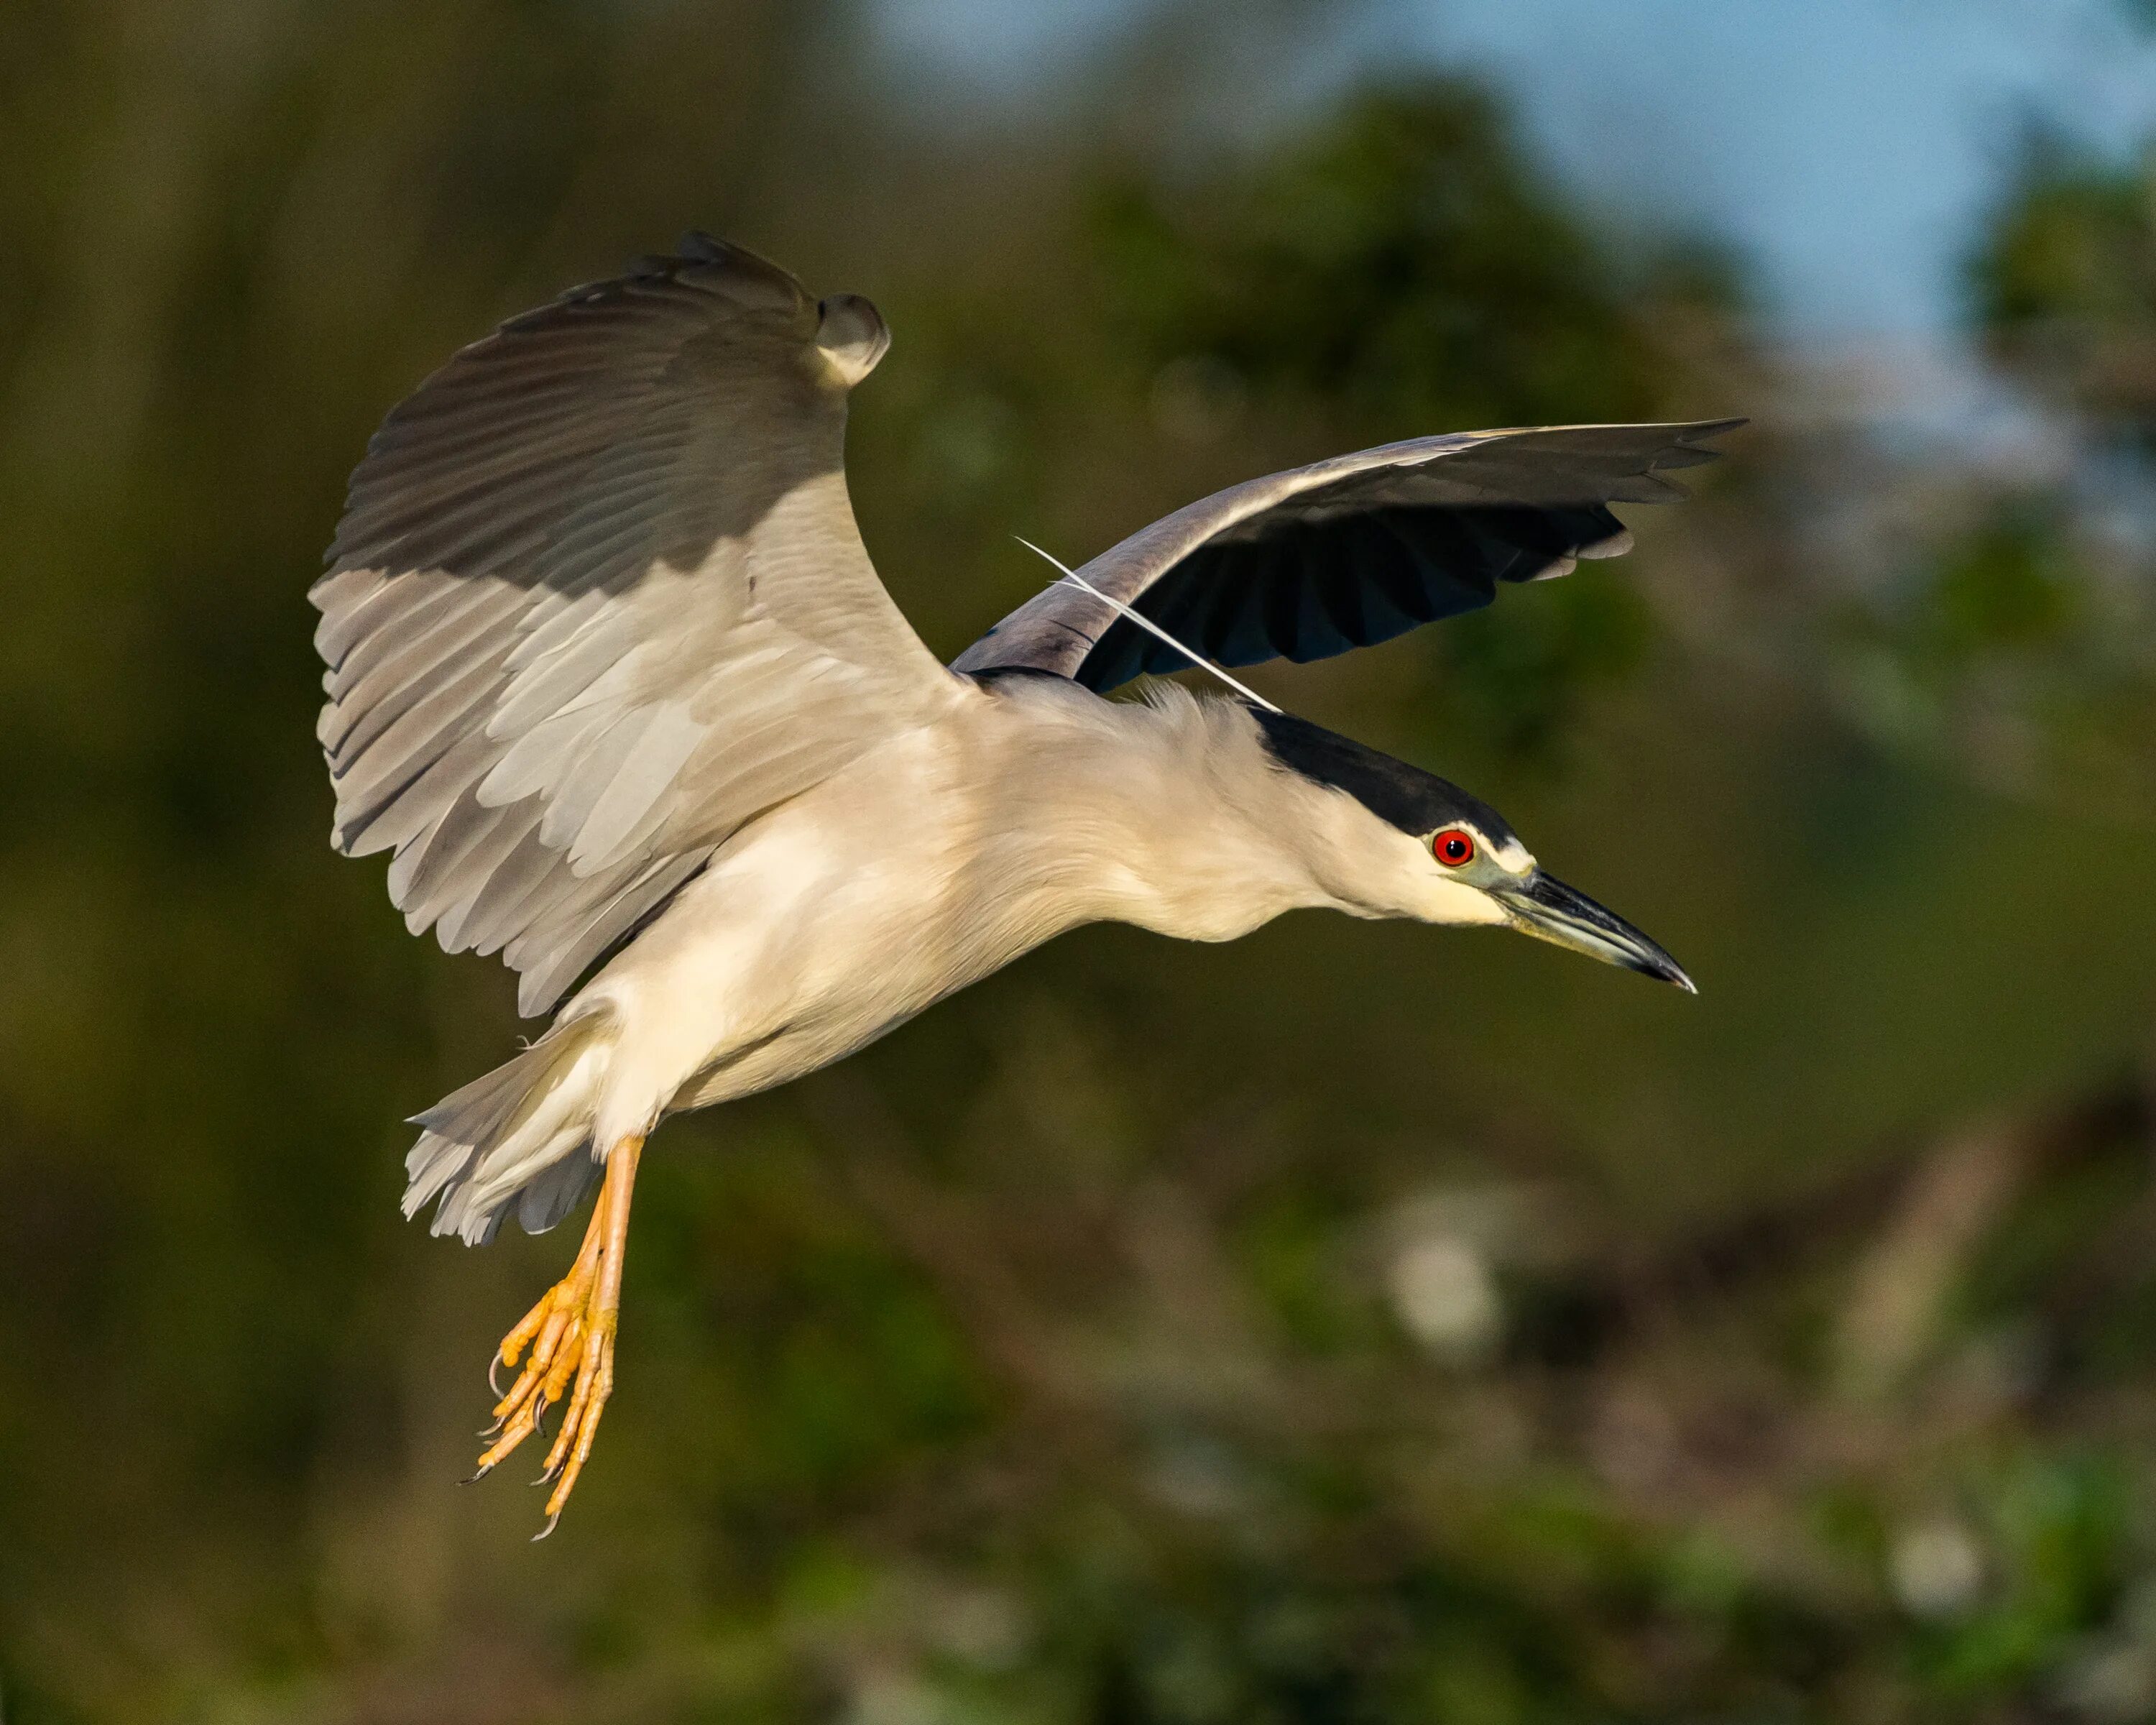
x: 572, y: 1340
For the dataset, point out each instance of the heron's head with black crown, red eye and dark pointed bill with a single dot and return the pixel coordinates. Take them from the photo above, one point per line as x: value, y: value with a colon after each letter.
x: 1402, y: 842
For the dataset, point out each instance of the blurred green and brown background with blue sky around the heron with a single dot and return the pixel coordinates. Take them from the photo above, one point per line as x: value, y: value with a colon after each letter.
x: 1359, y: 1323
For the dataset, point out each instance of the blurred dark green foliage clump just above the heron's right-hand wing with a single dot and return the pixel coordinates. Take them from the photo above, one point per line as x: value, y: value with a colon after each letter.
x: 1402, y: 264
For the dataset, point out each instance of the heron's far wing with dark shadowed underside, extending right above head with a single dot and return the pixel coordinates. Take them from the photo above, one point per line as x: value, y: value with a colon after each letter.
x: 1346, y: 553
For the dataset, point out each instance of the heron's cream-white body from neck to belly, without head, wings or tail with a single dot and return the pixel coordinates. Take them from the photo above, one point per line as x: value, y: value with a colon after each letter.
x: 932, y: 864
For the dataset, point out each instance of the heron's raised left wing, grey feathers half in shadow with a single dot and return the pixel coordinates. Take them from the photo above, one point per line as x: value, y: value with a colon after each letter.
x: 598, y: 598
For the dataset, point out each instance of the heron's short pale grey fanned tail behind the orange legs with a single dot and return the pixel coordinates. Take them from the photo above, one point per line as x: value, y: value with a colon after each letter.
x: 521, y: 1133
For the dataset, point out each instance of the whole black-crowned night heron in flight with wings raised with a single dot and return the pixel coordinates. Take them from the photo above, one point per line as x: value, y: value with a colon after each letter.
x: 613, y: 678
